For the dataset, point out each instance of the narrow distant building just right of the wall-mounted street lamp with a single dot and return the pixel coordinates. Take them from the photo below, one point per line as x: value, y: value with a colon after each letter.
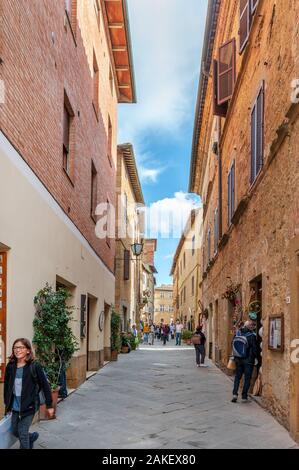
x: 148, y: 280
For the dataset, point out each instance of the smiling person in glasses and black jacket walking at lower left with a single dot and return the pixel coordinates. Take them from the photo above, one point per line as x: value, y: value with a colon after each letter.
x: 21, y: 391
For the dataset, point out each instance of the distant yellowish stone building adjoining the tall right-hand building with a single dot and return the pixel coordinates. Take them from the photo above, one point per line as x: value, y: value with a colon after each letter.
x: 186, y: 272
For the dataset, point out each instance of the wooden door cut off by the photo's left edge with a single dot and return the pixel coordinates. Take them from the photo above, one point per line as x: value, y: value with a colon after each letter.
x: 3, y: 297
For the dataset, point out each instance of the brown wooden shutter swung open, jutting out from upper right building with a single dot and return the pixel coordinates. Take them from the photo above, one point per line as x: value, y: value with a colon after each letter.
x: 226, y: 71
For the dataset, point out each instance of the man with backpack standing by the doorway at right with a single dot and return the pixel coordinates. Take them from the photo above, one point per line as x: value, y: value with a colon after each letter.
x: 245, y: 353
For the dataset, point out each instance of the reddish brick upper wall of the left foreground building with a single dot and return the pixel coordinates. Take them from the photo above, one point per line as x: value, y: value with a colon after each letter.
x: 41, y: 61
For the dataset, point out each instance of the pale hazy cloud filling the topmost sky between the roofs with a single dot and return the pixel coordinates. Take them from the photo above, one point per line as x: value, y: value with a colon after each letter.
x: 166, y: 39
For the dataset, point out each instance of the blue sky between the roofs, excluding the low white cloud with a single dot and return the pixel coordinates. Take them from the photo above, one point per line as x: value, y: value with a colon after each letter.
x: 167, y: 37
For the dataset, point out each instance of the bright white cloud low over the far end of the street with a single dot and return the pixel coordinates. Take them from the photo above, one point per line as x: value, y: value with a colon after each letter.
x: 167, y: 218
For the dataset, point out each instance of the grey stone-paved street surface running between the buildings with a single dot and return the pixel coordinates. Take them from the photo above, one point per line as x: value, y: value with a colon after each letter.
x: 156, y: 398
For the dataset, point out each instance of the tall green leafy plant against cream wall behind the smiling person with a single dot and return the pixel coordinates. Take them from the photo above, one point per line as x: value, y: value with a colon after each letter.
x: 53, y: 338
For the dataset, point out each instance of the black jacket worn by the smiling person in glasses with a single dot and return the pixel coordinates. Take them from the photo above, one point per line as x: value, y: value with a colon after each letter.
x: 30, y: 389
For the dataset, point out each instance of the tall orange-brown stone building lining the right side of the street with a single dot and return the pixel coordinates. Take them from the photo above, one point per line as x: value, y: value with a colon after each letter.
x: 245, y: 166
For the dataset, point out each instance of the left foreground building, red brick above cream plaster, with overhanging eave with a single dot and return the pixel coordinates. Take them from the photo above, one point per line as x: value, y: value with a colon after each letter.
x: 65, y: 66
